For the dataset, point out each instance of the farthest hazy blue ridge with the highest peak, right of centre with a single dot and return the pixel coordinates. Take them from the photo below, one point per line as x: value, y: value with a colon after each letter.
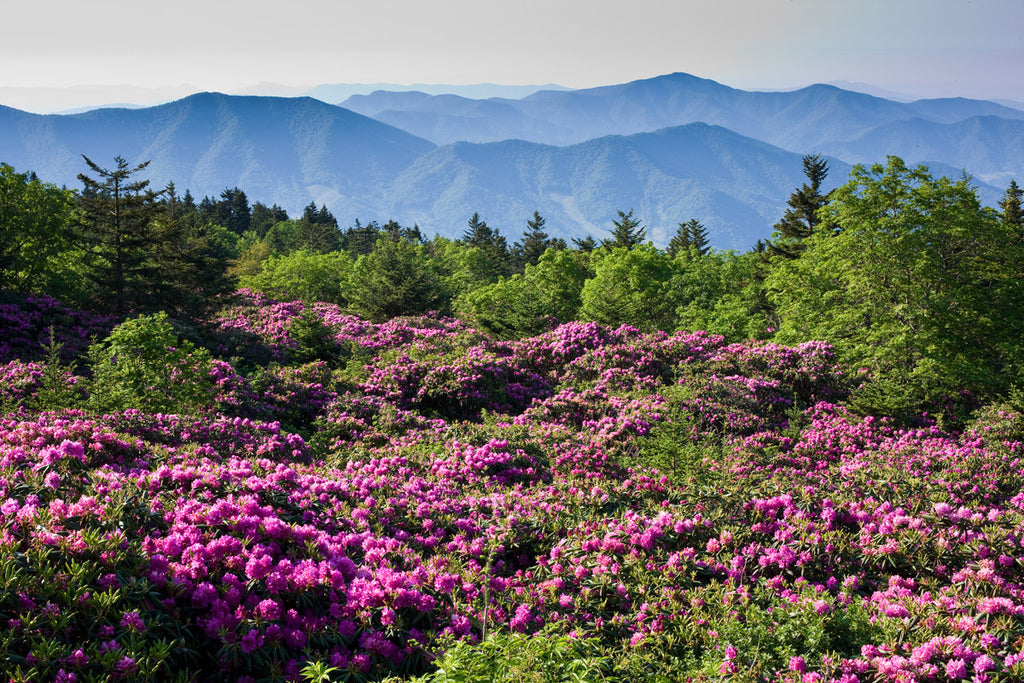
x: 819, y: 118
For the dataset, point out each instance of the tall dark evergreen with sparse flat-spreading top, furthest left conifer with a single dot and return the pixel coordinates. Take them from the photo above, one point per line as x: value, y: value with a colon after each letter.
x: 116, y: 232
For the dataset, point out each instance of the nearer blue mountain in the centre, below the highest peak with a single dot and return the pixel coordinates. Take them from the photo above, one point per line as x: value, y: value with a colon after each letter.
x: 736, y: 186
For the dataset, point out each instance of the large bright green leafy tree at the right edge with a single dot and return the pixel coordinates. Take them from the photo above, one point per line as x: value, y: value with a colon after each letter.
x: 912, y: 280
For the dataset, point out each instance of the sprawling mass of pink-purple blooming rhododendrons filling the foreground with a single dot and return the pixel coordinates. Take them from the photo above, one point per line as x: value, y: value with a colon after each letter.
x: 680, y: 507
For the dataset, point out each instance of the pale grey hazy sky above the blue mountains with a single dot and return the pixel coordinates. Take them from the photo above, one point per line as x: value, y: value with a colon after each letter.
x: 969, y: 49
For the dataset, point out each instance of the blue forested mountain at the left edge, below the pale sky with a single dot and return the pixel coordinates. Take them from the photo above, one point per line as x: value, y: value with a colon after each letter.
x: 289, y: 151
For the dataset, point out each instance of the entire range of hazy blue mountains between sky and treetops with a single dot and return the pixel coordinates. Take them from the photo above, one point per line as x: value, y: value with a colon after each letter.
x: 732, y: 164
